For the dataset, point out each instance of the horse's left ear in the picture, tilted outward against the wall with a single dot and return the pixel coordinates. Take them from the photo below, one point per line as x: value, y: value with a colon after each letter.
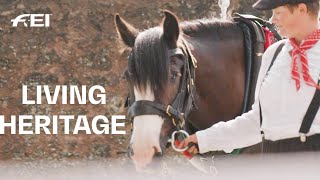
x: 125, y: 31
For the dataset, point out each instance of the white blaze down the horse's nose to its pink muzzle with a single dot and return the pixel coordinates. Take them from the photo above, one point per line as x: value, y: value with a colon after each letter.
x: 146, y: 132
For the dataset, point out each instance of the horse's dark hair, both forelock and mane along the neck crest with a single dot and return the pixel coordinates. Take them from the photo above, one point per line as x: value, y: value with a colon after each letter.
x: 150, y: 61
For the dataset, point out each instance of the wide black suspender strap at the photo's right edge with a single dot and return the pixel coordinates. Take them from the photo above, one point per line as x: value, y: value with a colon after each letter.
x: 311, y: 112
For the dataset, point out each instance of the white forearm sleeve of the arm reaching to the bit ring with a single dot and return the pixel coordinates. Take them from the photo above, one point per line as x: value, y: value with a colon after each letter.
x: 240, y: 132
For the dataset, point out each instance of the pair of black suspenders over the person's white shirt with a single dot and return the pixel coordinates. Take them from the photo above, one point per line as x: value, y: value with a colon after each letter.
x: 312, y: 109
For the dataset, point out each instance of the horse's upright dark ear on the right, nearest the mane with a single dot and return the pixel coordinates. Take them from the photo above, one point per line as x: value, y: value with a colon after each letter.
x: 171, y: 28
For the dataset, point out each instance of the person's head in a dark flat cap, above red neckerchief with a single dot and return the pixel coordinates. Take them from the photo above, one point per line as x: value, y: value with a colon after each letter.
x: 291, y: 16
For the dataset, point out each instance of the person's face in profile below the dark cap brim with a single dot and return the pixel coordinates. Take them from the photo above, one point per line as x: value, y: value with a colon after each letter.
x: 287, y: 21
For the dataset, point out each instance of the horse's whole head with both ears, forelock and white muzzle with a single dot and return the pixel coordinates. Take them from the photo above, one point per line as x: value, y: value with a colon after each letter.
x: 156, y: 67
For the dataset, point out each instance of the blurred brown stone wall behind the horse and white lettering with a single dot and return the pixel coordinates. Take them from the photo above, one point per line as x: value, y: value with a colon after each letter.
x: 80, y: 47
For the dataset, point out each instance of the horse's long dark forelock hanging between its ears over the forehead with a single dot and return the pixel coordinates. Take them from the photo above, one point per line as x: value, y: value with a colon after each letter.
x: 151, y: 61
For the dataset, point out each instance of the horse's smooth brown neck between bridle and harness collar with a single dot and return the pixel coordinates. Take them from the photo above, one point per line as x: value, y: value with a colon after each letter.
x: 220, y: 66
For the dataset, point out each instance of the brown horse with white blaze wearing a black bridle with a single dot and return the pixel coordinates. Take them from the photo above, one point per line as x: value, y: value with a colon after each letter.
x: 170, y: 91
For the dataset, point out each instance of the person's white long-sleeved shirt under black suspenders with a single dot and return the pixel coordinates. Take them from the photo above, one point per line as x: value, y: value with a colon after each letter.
x: 283, y: 107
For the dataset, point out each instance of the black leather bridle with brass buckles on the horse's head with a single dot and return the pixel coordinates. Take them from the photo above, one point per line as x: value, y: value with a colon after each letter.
x: 184, y: 100
